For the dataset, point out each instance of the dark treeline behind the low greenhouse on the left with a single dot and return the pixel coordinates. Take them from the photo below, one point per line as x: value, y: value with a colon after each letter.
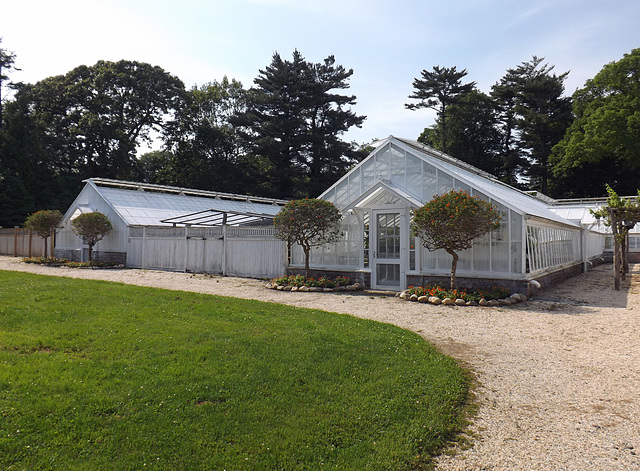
x: 280, y: 138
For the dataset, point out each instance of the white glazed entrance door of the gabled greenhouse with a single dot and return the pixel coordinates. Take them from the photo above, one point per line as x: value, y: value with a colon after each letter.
x: 387, y: 268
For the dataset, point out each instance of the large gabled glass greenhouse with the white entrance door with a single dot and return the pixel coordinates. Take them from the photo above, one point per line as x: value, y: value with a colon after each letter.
x: 377, y: 198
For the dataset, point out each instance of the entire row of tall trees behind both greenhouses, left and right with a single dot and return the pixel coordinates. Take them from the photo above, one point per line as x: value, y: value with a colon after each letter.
x: 283, y: 137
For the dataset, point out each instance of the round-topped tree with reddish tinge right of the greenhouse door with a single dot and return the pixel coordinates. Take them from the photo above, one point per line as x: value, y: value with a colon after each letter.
x: 452, y: 222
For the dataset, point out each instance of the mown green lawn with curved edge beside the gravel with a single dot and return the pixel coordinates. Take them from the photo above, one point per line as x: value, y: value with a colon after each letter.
x: 97, y: 375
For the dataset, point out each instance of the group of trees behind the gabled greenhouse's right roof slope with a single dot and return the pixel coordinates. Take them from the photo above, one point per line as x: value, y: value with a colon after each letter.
x: 529, y: 134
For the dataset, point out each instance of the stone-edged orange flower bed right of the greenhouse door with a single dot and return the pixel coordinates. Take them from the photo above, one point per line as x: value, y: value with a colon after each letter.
x: 495, y: 296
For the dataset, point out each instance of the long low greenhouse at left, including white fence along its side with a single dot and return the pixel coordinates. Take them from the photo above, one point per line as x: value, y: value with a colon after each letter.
x: 178, y: 229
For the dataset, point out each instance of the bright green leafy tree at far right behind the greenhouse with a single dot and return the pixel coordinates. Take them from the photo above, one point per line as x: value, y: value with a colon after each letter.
x: 602, y: 146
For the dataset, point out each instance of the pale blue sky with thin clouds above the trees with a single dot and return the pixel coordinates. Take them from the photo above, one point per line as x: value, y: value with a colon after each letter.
x: 387, y: 43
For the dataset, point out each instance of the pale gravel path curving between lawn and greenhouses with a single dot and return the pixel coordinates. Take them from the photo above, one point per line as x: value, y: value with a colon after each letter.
x: 558, y: 376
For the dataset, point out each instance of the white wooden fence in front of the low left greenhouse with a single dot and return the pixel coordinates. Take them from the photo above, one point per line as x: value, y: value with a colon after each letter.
x: 226, y: 250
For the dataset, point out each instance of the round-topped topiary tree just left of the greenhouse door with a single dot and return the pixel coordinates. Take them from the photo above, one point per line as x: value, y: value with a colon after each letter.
x: 309, y: 223
